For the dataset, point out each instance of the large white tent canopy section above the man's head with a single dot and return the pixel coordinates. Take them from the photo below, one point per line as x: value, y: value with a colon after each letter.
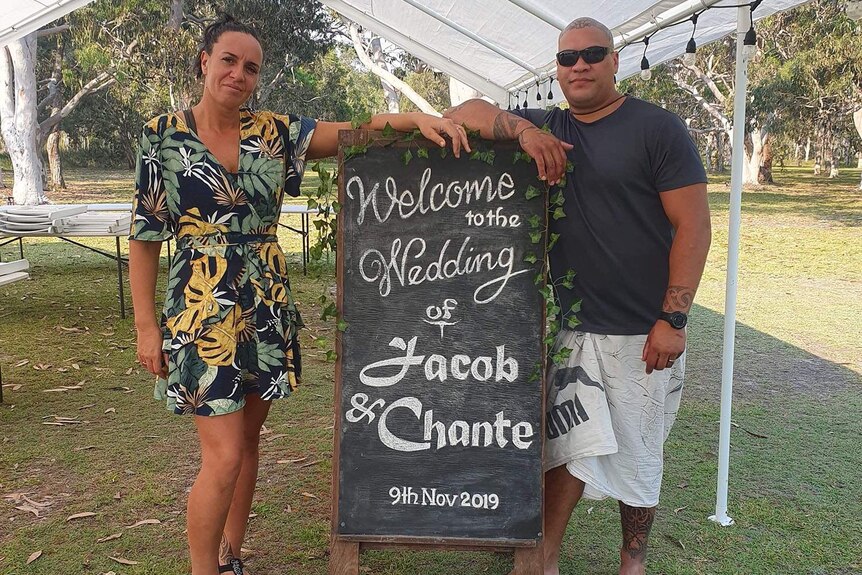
x: 500, y: 47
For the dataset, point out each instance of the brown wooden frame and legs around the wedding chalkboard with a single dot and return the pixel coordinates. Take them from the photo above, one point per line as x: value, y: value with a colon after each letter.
x: 345, y: 549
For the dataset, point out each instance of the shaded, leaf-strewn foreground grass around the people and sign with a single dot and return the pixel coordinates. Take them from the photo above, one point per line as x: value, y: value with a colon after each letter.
x: 793, y: 479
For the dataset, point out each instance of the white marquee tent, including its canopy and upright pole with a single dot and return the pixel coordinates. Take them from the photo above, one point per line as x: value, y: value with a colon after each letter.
x: 505, y: 49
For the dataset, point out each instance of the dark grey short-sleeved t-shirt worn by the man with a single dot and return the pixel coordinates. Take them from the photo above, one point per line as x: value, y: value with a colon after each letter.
x: 615, y: 235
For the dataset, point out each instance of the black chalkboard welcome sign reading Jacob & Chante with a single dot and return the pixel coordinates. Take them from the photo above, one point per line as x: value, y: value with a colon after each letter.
x: 439, y: 388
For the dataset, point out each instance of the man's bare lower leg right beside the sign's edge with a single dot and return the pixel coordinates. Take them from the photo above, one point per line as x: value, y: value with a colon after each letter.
x: 562, y: 493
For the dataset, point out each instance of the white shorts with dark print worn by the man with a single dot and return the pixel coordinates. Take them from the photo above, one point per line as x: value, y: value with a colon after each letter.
x: 607, y: 420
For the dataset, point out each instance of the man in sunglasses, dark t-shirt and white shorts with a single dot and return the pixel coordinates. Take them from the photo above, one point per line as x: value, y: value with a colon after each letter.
x: 636, y: 233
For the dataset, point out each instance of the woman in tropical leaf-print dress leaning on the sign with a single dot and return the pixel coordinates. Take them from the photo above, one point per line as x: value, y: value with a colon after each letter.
x: 213, y: 178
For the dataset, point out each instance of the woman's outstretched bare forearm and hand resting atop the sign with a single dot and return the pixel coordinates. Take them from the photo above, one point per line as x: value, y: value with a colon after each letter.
x: 324, y: 141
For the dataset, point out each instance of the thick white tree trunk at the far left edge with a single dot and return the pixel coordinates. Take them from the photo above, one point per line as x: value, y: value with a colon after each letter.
x: 18, y: 118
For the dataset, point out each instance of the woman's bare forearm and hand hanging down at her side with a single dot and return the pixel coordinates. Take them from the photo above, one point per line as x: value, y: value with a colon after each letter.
x: 143, y: 272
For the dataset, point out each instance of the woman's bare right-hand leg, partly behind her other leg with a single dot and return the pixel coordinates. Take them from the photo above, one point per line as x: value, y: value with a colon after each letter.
x: 254, y: 413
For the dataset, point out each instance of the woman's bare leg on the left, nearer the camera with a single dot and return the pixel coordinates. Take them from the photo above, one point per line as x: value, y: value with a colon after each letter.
x: 222, y: 441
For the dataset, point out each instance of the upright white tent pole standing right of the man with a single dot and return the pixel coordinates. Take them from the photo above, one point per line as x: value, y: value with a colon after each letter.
x: 740, y: 94
